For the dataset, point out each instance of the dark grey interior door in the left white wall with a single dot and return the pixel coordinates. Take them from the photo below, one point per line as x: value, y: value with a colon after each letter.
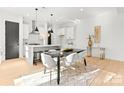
x: 12, y: 40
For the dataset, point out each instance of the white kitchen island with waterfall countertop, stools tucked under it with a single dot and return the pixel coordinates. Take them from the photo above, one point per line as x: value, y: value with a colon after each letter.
x: 30, y: 49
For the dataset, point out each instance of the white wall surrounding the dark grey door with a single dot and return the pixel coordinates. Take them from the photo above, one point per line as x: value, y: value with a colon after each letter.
x: 9, y: 17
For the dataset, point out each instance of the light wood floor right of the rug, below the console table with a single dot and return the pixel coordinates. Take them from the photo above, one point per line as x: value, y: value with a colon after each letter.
x: 112, y: 72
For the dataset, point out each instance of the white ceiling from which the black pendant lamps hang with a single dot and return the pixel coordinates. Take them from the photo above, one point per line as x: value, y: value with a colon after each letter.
x: 62, y: 14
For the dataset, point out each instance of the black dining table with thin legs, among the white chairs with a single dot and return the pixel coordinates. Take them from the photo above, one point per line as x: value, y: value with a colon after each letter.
x: 60, y: 54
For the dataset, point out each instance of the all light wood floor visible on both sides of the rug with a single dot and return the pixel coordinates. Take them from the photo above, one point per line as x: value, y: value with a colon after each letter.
x: 12, y: 69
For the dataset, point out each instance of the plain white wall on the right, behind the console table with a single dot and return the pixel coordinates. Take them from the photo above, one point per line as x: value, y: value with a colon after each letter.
x: 112, y: 34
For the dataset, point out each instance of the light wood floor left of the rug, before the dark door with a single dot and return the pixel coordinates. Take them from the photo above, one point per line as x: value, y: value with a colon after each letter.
x: 12, y: 69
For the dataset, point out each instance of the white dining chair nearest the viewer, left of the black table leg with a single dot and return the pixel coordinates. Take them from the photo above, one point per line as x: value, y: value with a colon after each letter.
x: 49, y: 63
